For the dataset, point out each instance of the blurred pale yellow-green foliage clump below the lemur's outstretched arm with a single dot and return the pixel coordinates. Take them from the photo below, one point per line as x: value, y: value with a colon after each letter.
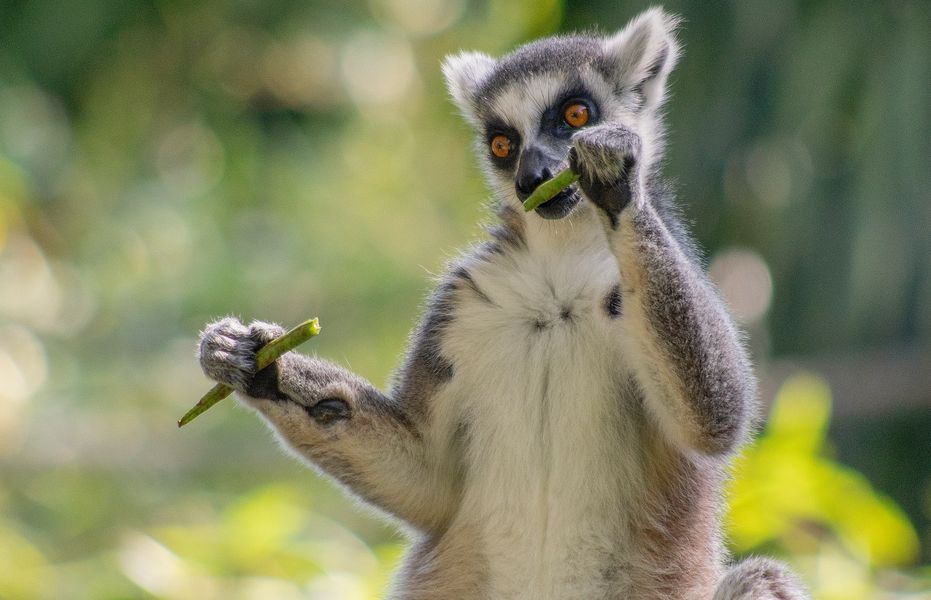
x: 275, y: 555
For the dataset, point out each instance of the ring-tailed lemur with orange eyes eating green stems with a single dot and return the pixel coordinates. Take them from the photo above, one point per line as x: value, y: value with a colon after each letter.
x: 563, y: 419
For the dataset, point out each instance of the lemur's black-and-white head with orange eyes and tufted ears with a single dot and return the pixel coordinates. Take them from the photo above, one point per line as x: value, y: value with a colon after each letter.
x: 526, y: 106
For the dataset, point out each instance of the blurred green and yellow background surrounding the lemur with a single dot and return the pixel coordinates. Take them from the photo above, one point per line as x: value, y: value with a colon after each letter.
x: 163, y: 163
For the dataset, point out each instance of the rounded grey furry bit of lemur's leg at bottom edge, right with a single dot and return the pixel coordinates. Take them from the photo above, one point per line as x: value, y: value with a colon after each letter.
x: 759, y: 579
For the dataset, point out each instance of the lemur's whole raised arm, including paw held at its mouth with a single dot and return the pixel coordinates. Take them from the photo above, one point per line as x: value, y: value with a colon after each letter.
x: 687, y: 355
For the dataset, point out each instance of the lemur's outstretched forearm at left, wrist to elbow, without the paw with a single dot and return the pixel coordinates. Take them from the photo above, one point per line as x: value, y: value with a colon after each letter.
x: 367, y: 440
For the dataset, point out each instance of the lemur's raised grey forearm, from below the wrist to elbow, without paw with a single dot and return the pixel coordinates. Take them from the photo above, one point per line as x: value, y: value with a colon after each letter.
x: 690, y: 362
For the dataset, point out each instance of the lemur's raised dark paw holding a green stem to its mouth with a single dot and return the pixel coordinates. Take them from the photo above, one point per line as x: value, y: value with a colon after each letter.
x: 607, y: 157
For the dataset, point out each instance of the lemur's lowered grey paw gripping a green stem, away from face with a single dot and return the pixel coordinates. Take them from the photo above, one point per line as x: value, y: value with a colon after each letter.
x: 227, y: 350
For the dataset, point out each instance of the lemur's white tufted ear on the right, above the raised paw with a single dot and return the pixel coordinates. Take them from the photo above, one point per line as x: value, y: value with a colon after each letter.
x: 643, y: 54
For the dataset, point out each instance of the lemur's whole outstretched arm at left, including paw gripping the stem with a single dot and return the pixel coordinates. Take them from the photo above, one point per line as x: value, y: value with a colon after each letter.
x: 378, y: 445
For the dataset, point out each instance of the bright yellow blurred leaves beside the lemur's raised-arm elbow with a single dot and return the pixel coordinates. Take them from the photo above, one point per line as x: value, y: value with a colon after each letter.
x: 788, y: 496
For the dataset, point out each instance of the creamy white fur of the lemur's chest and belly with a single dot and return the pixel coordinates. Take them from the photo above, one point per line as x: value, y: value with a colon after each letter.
x: 540, y: 378
